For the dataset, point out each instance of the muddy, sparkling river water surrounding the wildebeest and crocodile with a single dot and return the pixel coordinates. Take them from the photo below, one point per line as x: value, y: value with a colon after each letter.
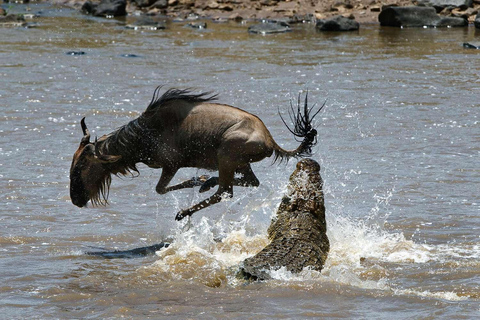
x: 399, y: 145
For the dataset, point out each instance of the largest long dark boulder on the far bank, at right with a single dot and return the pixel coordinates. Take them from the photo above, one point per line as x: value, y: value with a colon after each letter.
x: 413, y: 16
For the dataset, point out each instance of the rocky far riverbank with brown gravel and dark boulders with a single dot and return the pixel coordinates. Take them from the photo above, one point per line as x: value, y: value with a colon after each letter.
x: 330, y: 15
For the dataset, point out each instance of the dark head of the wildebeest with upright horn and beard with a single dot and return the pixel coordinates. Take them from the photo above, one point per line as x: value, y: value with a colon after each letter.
x: 89, y: 174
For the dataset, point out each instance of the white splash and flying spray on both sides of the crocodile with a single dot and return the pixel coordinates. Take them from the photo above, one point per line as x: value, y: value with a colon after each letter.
x: 363, y: 254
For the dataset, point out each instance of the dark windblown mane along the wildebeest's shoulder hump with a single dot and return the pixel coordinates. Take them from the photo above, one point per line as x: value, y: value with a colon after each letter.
x: 177, y: 94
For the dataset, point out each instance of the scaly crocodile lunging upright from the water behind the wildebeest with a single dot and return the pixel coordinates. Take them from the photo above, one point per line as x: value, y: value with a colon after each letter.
x: 298, y: 232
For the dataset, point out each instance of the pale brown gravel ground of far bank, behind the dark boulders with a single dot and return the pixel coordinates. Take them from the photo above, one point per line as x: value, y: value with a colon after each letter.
x: 363, y: 11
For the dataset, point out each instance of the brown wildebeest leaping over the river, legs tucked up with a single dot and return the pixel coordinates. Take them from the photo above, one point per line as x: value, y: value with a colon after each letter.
x: 181, y: 129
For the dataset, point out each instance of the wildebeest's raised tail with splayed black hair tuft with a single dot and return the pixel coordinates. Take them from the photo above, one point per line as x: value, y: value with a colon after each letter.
x: 303, y: 129
